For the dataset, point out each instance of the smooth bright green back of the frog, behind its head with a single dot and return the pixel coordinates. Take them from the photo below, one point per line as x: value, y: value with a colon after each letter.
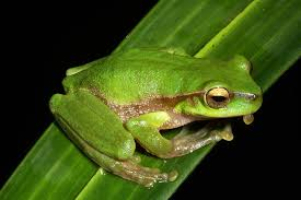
x: 136, y: 75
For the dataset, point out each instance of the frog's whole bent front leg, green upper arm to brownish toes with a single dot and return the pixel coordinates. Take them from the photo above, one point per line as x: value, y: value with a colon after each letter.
x: 146, y: 130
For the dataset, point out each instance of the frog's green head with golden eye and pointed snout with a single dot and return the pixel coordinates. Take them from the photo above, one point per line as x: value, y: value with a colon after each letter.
x: 229, y: 91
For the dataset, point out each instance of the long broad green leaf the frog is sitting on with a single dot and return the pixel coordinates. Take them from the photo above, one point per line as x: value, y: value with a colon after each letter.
x: 265, y: 31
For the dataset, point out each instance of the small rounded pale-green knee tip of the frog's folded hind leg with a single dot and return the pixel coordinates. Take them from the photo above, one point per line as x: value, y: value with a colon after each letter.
x: 126, y: 149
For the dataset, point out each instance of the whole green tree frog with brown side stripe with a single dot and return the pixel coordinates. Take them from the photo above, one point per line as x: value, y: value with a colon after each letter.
x: 132, y: 95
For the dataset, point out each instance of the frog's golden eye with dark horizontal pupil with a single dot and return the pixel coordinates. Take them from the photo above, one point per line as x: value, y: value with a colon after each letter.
x: 217, y: 97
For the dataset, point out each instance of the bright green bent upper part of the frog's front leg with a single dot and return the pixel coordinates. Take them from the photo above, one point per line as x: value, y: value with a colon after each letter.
x: 145, y: 130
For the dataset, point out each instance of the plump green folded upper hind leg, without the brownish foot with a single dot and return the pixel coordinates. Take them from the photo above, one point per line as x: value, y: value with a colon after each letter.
x: 88, y: 121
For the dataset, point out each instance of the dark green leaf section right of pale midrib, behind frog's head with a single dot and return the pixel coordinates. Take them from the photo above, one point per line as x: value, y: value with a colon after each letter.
x: 267, y: 33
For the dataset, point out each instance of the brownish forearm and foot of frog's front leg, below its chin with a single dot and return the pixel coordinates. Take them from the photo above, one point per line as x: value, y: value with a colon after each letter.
x: 185, y: 143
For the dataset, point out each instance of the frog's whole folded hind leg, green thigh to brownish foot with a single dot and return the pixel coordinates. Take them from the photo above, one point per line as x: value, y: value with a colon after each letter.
x: 100, y: 134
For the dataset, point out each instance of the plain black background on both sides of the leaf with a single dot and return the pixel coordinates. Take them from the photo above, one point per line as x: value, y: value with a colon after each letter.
x: 39, y: 42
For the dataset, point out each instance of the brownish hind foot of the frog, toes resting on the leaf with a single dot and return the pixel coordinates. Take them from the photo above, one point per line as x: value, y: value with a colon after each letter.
x: 142, y: 175
